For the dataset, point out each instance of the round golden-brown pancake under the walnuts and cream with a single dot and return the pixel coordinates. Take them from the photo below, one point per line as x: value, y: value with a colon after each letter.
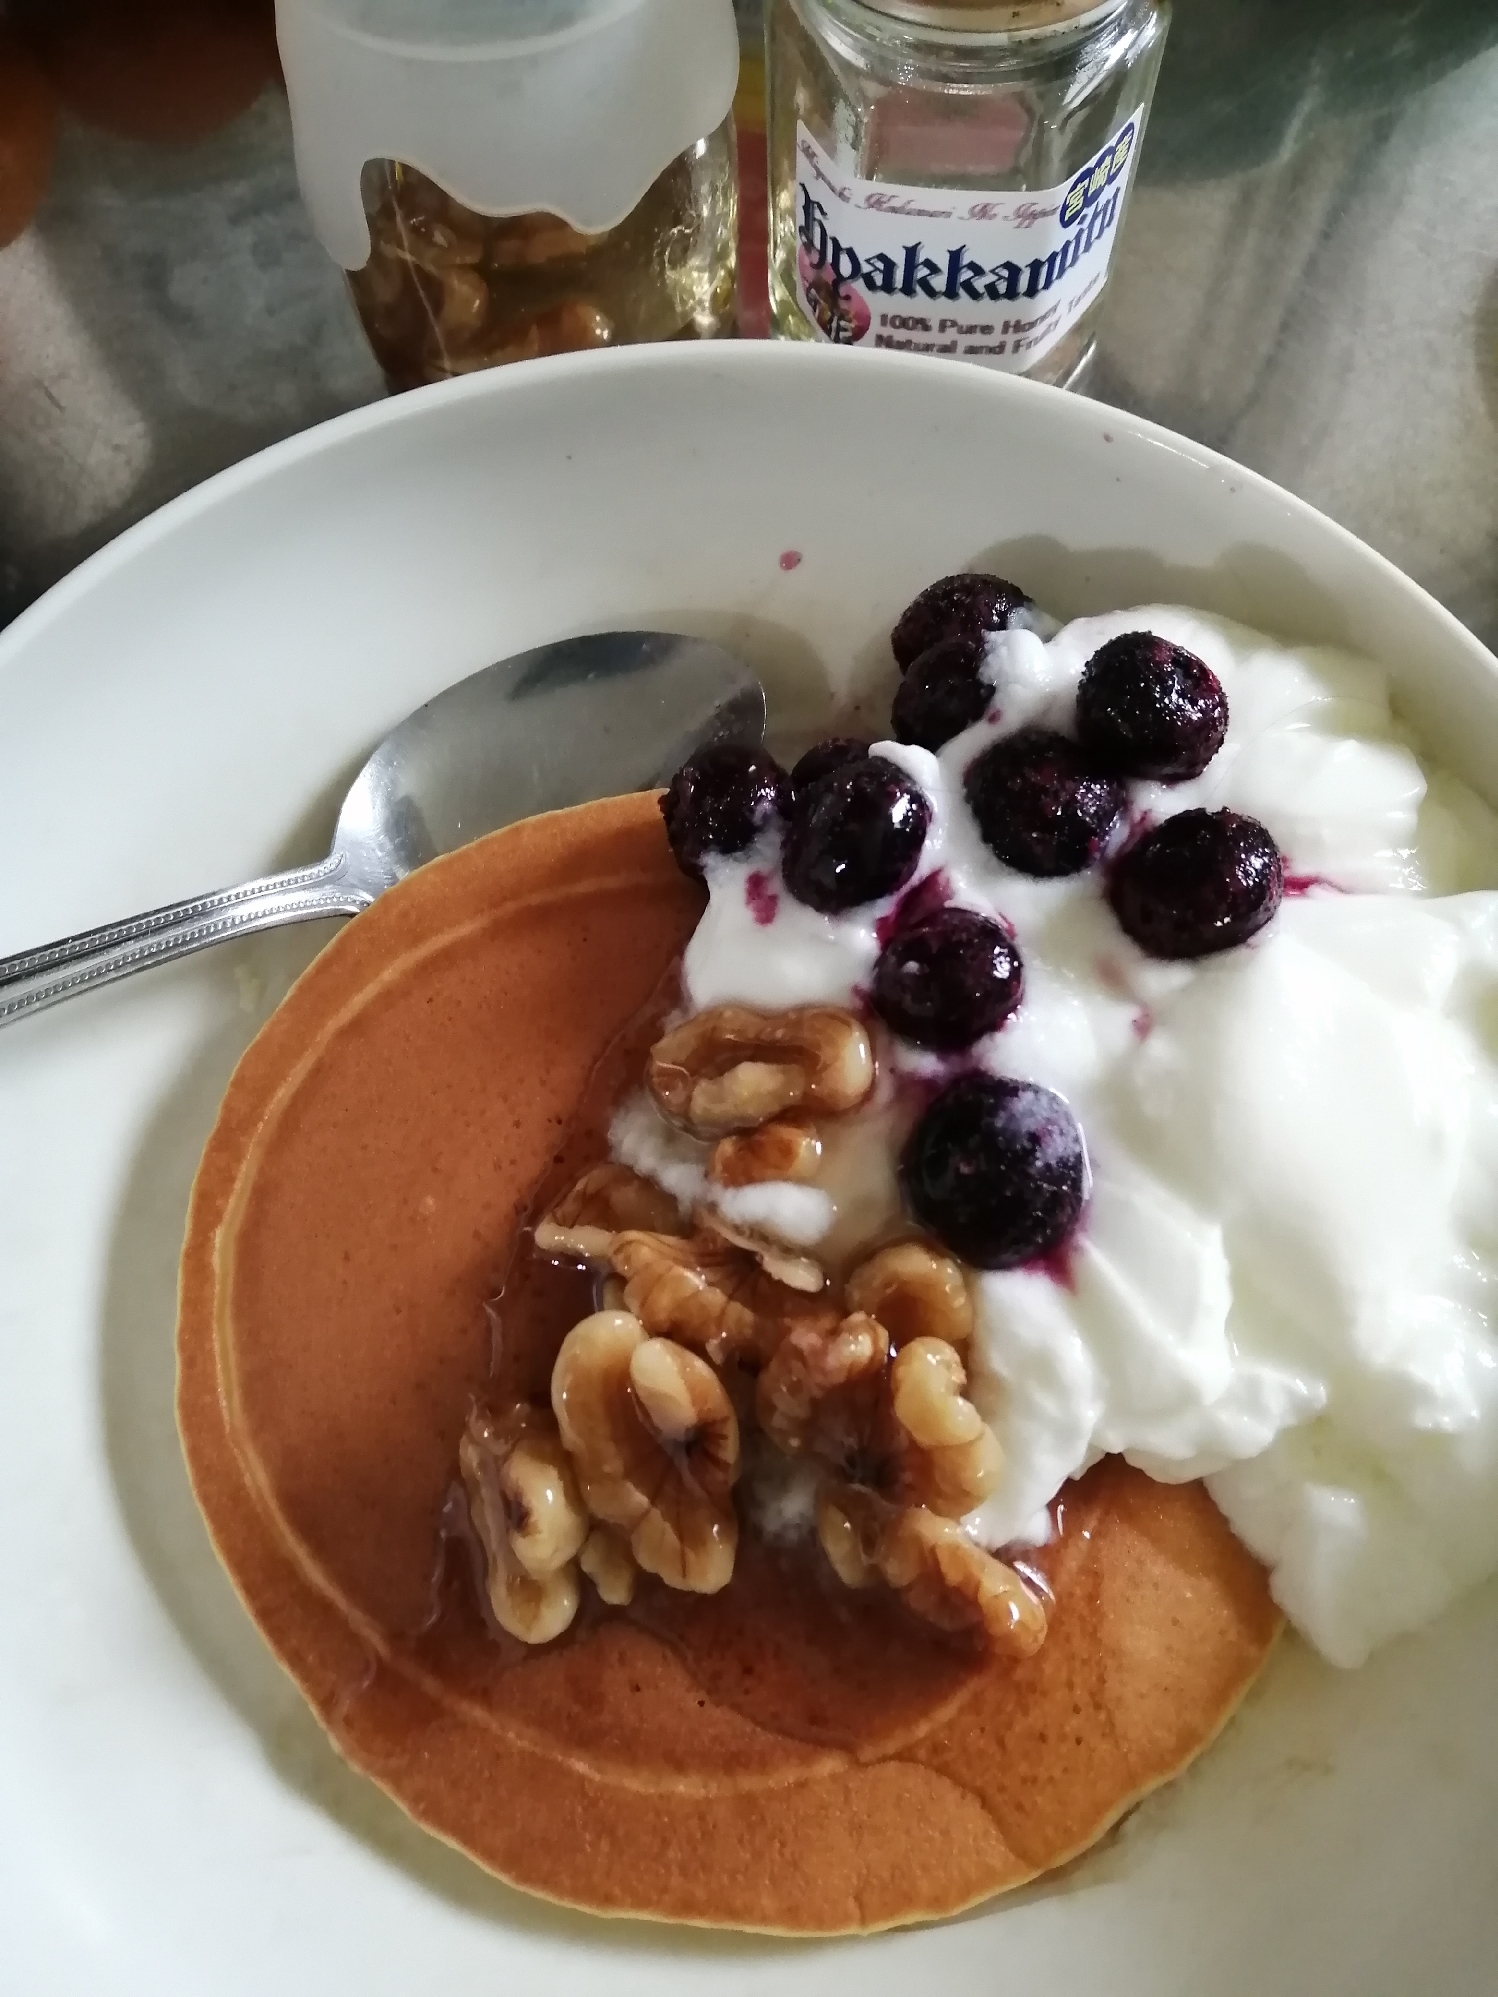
x: 784, y: 1756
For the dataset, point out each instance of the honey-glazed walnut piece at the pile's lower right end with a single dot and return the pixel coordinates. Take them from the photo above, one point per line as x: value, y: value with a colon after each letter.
x: 932, y: 1565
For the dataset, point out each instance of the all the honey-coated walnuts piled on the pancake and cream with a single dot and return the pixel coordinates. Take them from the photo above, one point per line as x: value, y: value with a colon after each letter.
x: 714, y: 1329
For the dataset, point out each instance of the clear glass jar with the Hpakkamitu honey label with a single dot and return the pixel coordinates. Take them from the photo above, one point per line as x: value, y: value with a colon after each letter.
x: 952, y: 179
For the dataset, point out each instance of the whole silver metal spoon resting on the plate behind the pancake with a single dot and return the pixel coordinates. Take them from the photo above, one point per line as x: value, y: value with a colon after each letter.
x: 558, y: 726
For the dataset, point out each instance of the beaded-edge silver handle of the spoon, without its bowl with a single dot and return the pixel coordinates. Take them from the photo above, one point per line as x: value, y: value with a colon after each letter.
x: 37, y: 980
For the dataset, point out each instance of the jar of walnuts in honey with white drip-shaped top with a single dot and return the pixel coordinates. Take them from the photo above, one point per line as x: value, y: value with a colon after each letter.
x: 508, y: 179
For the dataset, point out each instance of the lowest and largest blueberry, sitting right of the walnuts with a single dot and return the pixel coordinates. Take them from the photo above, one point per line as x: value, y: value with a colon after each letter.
x: 998, y: 1171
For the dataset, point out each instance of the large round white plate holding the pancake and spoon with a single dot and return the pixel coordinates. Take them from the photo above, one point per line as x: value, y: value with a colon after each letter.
x: 183, y: 714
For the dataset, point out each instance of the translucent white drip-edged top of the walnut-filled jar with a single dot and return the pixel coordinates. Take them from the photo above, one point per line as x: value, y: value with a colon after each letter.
x: 568, y: 107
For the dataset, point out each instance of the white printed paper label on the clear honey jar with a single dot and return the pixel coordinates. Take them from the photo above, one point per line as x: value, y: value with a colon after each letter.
x: 976, y: 275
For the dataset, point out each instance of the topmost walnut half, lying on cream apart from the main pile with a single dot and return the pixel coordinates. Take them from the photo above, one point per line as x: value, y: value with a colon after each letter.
x: 734, y: 1067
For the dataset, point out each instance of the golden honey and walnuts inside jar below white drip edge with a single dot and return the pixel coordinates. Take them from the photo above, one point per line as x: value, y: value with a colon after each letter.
x: 448, y: 291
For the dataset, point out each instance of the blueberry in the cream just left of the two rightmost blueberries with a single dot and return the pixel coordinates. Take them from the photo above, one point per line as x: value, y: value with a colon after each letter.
x: 1040, y: 804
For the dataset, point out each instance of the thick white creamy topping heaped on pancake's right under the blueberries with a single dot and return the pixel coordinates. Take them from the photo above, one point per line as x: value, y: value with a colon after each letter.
x: 1285, y: 1281
